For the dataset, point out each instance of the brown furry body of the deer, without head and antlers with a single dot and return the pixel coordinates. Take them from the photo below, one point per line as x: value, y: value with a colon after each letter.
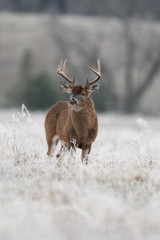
x: 68, y: 124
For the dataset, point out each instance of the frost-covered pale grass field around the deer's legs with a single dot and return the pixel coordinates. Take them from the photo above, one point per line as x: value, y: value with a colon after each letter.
x: 117, y: 196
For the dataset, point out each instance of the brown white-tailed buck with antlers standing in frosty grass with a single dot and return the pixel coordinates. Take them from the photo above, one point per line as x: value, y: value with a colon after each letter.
x: 73, y: 123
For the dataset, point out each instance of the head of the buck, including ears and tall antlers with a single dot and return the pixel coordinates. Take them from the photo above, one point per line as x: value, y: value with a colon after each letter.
x: 78, y: 93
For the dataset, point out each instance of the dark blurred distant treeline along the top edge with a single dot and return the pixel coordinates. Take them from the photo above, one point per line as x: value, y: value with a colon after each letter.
x: 115, y: 8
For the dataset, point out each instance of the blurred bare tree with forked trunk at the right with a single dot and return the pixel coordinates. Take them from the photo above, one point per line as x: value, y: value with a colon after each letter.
x: 133, y: 96
